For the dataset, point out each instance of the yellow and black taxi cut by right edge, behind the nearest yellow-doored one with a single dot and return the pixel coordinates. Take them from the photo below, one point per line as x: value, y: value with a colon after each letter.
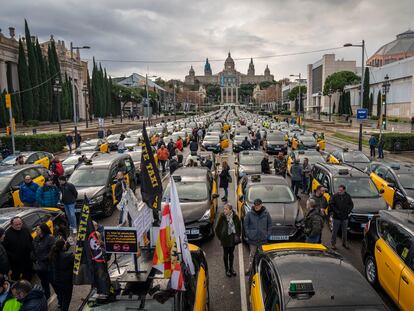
x: 396, y: 180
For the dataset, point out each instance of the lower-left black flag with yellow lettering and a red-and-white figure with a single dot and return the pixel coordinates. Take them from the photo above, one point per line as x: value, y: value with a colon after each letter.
x: 90, y: 266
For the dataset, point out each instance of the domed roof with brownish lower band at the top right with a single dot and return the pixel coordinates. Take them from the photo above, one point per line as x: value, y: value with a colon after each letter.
x: 402, y: 47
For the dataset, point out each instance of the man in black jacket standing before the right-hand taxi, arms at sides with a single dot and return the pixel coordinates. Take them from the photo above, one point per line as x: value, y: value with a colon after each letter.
x: 340, y: 205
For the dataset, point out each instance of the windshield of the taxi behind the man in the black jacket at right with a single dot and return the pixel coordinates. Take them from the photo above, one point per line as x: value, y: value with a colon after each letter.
x: 361, y: 187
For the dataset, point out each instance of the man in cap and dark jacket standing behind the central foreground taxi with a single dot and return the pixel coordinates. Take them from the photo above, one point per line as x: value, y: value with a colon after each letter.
x: 257, y: 225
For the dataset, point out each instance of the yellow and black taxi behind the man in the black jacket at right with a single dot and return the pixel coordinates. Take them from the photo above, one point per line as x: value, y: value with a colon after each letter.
x: 365, y: 195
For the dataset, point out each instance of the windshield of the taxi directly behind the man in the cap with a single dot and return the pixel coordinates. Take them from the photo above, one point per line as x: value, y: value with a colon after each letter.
x: 271, y: 194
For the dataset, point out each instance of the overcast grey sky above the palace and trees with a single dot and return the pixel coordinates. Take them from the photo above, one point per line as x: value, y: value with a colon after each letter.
x: 195, y: 29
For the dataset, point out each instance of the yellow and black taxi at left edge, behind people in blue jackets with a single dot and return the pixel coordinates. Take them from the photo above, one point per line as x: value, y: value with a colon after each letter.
x: 12, y: 176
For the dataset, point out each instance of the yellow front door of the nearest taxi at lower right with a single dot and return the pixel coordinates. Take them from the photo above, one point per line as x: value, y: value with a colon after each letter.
x: 389, y: 264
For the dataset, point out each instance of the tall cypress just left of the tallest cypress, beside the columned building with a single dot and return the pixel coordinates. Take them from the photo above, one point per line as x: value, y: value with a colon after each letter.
x: 25, y: 85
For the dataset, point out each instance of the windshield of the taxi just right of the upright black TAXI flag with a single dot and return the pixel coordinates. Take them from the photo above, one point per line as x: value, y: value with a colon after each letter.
x: 189, y: 191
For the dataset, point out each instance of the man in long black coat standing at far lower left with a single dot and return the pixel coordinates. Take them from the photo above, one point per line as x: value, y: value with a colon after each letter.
x: 18, y: 244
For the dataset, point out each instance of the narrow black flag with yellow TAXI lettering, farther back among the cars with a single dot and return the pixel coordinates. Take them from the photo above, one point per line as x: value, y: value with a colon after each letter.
x: 151, y: 186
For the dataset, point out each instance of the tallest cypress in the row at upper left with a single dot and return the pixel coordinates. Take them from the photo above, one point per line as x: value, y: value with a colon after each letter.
x: 33, y: 71
